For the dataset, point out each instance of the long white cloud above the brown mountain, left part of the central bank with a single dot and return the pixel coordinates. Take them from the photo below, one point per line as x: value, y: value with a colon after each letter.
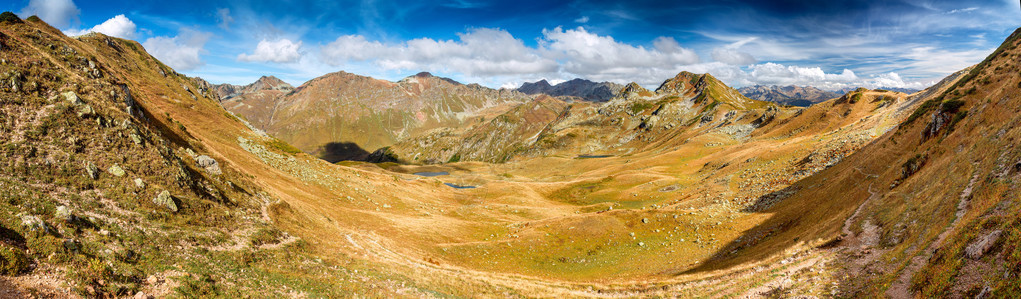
x: 478, y: 53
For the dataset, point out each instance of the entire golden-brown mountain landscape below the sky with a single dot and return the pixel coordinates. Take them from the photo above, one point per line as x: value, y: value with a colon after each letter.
x: 122, y: 177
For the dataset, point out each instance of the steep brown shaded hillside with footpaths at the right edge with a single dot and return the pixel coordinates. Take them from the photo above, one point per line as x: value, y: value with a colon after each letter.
x: 931, y: 207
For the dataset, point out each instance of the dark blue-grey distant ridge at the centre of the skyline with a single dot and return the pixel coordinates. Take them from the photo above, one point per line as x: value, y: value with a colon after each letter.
x: 579, y: 88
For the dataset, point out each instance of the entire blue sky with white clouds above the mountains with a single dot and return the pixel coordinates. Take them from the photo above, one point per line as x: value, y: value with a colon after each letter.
x: 829, y: 44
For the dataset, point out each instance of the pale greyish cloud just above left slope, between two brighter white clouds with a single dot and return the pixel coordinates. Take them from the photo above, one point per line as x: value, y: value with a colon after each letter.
x: 182, y: 53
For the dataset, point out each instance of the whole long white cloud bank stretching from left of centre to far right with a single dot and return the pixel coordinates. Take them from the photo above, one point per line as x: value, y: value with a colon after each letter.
x: 495, y: 57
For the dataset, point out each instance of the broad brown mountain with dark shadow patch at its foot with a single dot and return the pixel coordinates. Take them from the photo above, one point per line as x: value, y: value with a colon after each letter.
x: 345, y: 117
